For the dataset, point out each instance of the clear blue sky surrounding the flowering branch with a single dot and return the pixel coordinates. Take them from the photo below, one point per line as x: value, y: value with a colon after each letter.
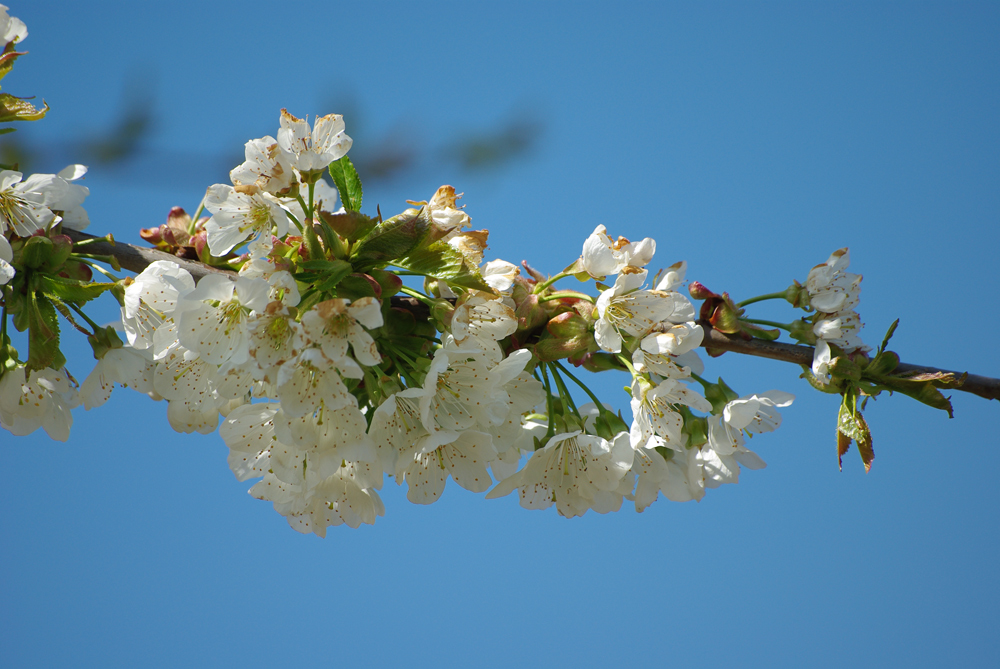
x: 749, y: 139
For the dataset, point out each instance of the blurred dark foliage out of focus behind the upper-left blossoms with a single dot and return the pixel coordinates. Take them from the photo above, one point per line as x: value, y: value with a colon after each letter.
x: 122, y: 148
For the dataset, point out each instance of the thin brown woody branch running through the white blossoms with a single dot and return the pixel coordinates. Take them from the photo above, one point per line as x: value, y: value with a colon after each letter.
x: 136, y: 259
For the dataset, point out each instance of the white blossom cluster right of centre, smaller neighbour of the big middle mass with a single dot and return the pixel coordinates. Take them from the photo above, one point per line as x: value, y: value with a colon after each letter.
x: 595, y: 460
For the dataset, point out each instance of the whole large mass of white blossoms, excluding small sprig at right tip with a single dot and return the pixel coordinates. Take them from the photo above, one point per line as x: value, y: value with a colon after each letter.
x: 320, y: 386
